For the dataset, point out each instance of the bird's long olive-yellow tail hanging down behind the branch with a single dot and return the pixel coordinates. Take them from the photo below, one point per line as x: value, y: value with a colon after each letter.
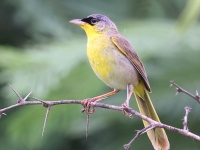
x: 157, y: 136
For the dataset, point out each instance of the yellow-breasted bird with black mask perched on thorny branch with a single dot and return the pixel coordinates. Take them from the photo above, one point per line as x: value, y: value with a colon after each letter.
x: 116, y: 63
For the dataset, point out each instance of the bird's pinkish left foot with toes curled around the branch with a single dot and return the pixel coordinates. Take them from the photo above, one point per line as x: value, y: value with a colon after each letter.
x: 87, y: 106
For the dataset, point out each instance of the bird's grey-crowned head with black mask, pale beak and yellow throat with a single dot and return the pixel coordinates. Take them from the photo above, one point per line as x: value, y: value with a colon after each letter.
x: 96, y: 24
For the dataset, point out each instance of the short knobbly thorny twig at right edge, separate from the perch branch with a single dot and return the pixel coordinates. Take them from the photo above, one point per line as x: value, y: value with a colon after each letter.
x: 180, y: 89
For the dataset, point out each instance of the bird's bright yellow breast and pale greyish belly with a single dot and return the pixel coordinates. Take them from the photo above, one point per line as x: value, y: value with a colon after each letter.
x: 112, y: 67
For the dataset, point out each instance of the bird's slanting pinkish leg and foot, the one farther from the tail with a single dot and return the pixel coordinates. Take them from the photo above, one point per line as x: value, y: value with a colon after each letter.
x: 86, y: 103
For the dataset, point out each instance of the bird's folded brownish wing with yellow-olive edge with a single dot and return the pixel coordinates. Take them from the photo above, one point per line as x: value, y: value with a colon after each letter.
x: 125, y: 48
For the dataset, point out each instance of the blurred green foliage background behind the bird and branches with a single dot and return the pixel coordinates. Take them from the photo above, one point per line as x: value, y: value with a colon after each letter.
x: 41, y: 52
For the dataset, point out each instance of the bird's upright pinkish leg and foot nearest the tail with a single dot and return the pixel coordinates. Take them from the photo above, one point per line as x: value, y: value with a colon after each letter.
x: 126, y: 103
